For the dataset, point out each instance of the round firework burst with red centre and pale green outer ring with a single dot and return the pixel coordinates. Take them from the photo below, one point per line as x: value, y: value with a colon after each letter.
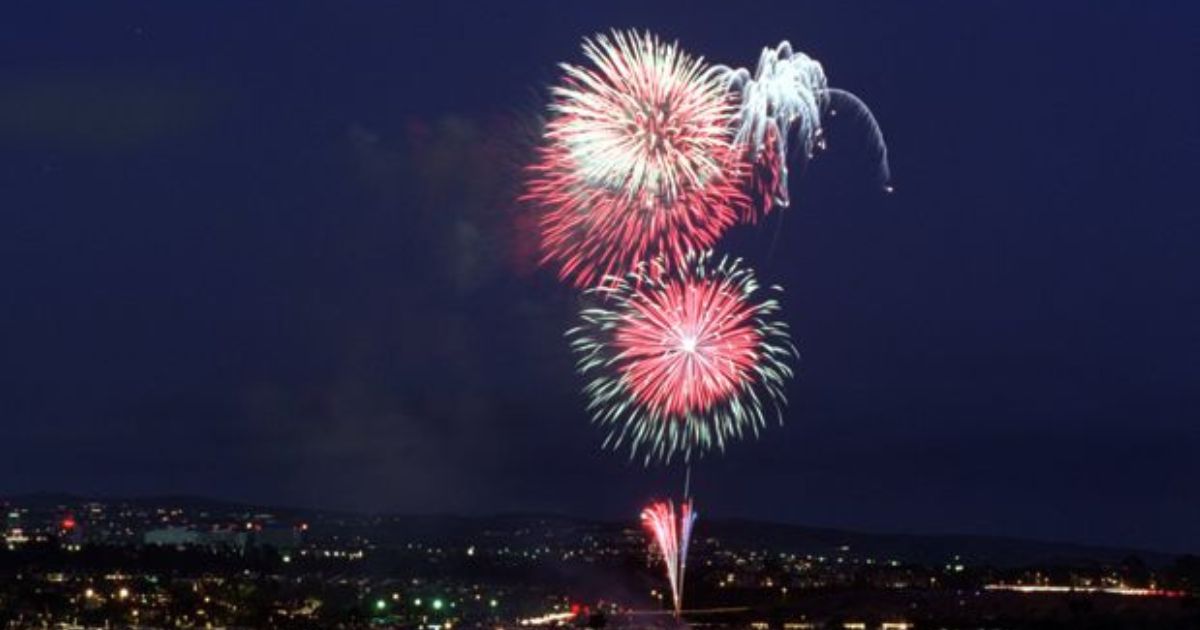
x: 682, y: 362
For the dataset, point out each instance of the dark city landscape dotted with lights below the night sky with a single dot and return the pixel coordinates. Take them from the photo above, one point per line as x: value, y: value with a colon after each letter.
x: 69, y: 562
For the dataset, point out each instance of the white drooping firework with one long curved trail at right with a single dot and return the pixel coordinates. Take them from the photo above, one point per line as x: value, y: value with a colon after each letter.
x: 789, y: 89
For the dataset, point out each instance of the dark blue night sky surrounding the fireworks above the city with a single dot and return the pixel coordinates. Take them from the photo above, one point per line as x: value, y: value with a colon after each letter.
x: 268, y: 253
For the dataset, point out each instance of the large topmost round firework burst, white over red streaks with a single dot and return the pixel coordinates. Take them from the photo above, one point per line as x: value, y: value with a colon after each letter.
x: 639, y: 160
